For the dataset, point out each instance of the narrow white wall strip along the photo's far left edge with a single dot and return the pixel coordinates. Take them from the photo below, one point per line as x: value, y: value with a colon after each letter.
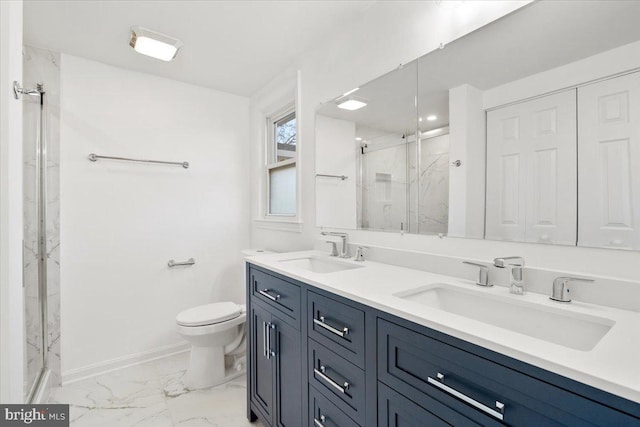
x: 11, y: 294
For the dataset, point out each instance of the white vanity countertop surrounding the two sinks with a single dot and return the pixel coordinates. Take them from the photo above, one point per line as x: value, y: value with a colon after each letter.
x: 612, y: 365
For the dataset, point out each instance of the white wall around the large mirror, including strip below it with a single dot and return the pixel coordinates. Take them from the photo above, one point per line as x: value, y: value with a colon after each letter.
x: 390, y: 33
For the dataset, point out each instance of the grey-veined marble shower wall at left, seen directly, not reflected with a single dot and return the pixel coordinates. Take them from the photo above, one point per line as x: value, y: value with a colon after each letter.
x: 42, y: 66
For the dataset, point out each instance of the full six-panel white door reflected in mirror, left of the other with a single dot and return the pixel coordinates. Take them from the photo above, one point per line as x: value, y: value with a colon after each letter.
x: 531, y: 171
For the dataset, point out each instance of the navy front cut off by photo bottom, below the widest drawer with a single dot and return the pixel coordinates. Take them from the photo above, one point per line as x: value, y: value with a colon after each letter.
x: 395, y: 410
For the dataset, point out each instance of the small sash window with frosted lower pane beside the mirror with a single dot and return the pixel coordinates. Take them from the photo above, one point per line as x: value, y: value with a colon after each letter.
x: 281, y: 164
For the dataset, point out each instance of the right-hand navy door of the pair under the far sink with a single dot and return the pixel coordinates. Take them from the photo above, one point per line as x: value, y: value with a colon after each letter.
x: 288, y: 374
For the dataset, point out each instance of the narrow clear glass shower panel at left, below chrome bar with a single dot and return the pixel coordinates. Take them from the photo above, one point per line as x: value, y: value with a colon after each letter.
x: 34, y: 234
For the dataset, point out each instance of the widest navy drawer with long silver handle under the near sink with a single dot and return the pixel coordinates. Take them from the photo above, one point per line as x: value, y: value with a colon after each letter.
x: 409, y: 362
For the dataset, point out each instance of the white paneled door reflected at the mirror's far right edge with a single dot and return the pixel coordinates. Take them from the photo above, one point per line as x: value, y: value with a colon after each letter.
x: 609, y: 159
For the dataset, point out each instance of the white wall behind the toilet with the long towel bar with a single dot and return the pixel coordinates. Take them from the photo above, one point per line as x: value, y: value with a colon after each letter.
x: 122, y: 221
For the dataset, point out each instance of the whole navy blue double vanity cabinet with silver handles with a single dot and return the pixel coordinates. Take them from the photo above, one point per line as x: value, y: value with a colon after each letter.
x: 351, y: 365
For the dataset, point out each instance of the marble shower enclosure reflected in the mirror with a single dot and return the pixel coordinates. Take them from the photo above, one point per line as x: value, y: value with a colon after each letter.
x: 383, y: 193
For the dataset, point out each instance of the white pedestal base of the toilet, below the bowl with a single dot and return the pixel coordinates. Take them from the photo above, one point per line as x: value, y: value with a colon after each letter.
x: 207, y: 368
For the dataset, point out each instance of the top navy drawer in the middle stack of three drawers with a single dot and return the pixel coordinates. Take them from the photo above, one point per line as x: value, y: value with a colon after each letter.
x: 337, y: 326
